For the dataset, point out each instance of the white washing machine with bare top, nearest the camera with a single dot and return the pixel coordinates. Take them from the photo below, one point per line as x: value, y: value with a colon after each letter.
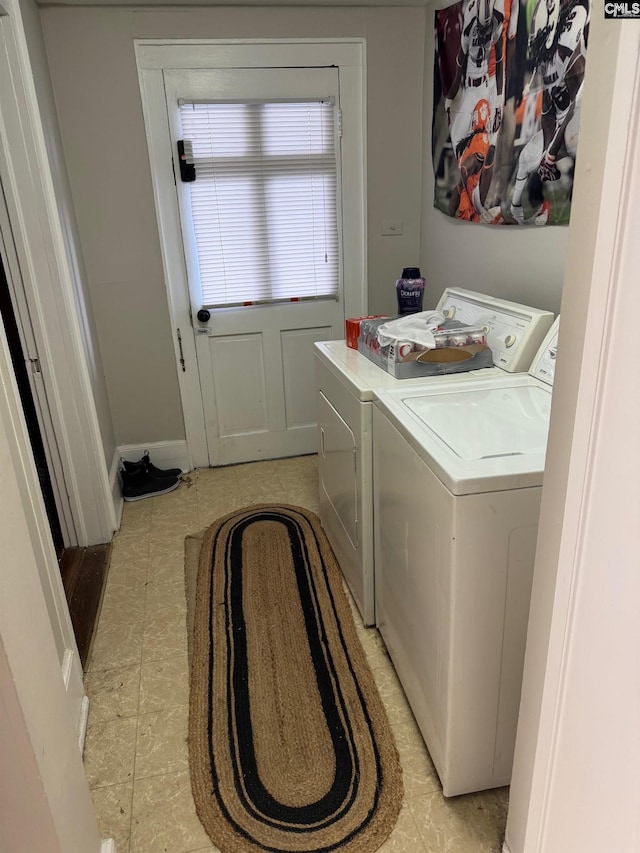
x: 458, y: 475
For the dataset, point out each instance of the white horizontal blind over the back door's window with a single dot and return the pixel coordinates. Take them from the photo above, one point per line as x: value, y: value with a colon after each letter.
x: 264, y: 200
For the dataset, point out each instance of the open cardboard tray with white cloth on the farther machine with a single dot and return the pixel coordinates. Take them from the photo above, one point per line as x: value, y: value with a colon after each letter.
x: 458, y: 348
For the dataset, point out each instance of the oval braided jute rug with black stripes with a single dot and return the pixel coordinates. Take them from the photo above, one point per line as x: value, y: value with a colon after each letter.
x: 289, y: 745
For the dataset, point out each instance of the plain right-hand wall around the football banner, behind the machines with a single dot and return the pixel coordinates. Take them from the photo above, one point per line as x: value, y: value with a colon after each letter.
x: 524, y: 265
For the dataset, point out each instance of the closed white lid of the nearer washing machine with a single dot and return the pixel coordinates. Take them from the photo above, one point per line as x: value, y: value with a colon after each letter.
x: 487, y: 424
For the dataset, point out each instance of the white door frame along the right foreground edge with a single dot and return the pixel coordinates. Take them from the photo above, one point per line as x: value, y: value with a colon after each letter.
x: 576, y: 779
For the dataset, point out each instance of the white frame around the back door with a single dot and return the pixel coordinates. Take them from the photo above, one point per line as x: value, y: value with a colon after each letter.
x: 153, y: 57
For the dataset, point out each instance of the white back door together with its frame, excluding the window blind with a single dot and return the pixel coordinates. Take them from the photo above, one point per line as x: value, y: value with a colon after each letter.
x: 246, y: 376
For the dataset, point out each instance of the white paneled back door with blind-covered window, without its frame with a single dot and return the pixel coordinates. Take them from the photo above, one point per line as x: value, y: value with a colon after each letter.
x: 255, y: 361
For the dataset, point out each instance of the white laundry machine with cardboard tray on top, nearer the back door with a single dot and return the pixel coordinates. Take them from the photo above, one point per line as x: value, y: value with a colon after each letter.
x: 346, y: 381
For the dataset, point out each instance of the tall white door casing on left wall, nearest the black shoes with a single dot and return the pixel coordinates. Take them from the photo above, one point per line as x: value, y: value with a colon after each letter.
x: 50, y: 290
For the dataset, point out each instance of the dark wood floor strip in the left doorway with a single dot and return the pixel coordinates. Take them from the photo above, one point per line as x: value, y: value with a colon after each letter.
x: 84, y: 576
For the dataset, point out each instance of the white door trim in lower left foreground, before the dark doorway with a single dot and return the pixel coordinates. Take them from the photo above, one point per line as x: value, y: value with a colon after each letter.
x: 42, y: 704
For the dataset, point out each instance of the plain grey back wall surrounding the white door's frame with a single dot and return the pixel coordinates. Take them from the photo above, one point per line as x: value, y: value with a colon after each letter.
x: 97, y: 95
